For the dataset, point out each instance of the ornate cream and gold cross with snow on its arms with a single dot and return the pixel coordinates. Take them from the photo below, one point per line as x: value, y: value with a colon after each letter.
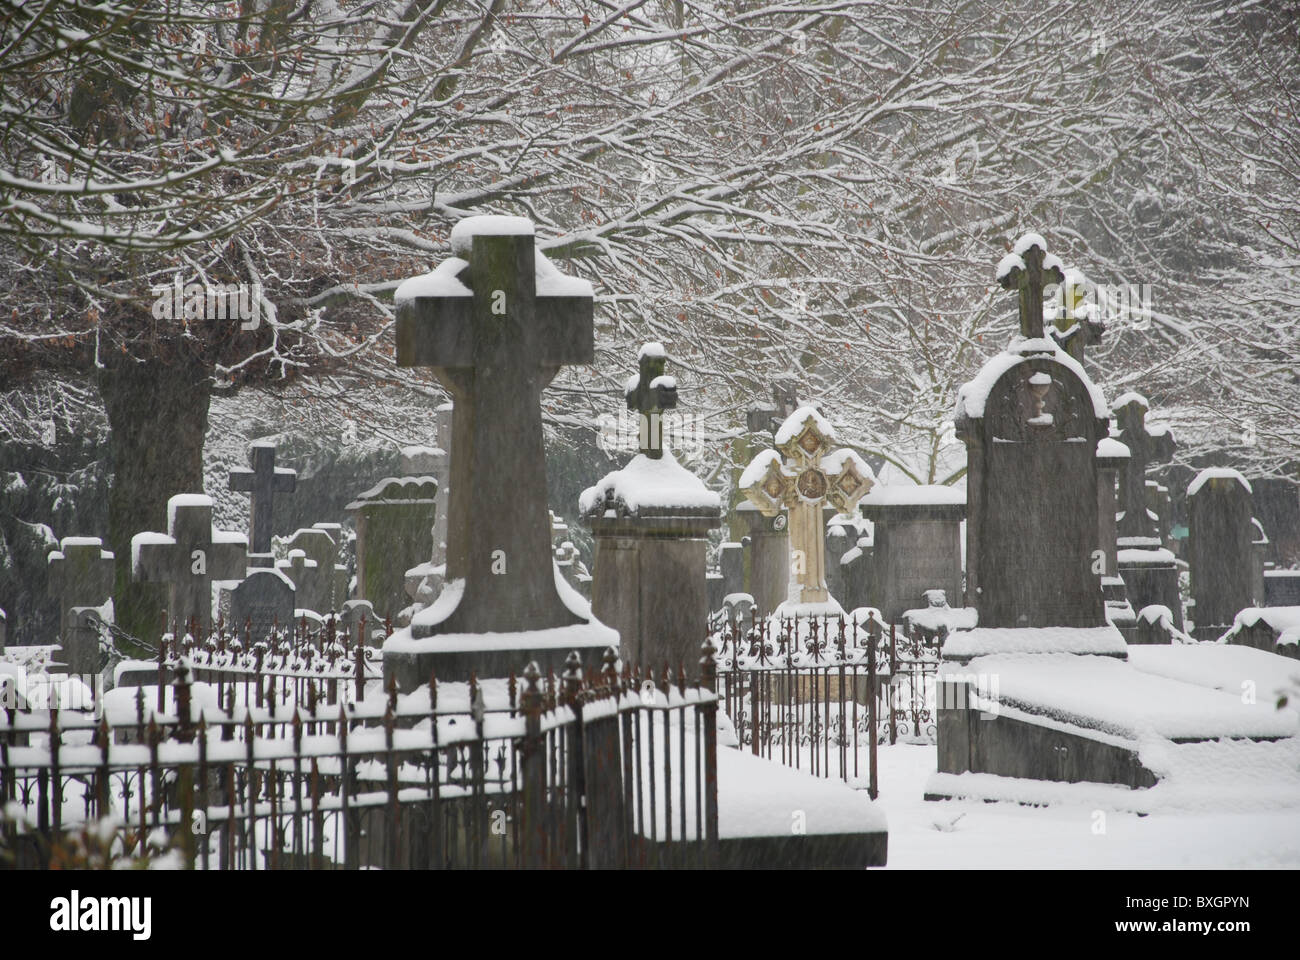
x: 808, y: 477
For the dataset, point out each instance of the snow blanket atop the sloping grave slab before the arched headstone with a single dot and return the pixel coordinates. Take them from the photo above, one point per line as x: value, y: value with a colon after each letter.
x: 1111, y: 697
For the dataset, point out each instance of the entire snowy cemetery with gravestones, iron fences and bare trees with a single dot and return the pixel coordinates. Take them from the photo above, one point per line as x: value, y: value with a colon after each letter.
x: 592, y: 504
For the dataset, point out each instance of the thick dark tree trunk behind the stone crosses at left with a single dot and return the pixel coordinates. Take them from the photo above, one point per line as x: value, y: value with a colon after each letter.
x: 158, y: 414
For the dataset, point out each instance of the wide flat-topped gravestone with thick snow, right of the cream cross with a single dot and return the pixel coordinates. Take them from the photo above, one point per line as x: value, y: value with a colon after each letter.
x: 918, y: 546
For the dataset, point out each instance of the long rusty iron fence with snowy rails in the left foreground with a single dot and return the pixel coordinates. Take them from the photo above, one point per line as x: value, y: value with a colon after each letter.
x: 593, y: 769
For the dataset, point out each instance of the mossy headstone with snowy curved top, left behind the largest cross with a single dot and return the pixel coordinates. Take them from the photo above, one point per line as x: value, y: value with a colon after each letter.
x: 395, y: 533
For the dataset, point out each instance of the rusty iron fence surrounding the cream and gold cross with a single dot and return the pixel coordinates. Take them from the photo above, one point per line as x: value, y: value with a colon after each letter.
x: 821, y: 694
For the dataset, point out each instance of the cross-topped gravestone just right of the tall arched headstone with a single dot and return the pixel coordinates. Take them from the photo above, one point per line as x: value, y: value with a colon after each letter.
x: 1146, y: 564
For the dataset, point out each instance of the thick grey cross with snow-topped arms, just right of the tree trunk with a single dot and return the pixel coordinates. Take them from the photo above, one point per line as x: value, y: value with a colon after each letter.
x: 189, y: 557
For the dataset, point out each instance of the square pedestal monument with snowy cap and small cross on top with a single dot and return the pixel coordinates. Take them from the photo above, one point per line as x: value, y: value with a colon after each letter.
x: 651, y: 522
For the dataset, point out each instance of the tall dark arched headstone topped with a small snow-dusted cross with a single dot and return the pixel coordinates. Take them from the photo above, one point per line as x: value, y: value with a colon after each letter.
x: 1032, y: 423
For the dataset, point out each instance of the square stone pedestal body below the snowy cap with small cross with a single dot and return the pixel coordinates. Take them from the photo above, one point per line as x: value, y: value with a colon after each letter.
x: 649, y: 586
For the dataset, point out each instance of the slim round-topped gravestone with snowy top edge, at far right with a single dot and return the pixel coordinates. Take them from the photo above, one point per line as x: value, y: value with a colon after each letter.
x: 1219, y: 539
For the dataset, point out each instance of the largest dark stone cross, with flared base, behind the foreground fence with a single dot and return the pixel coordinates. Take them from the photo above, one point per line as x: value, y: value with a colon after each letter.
x: 496, y: 323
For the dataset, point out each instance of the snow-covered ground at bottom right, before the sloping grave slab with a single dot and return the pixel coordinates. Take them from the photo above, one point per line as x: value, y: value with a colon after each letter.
x: 959, y: 834
